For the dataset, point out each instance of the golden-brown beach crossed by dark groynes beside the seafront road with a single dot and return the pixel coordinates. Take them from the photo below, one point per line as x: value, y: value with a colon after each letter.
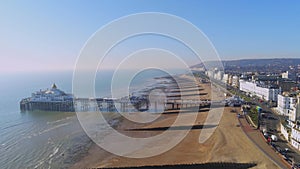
x: 228, y: 143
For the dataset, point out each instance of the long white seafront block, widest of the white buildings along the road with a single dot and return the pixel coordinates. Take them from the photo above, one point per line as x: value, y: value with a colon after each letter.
x: 264, y: 92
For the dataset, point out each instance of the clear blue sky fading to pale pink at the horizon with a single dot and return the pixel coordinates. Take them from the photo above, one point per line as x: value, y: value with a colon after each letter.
x: 49, y: 35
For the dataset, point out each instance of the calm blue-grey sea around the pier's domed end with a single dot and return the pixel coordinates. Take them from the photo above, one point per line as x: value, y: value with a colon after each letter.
x: 42, y: 139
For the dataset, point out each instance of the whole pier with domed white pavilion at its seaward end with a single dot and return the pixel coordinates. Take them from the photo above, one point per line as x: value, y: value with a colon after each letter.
x: 56, y: 100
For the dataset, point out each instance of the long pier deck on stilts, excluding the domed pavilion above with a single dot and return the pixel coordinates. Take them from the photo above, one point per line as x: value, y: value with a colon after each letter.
x: 113, y: 105
